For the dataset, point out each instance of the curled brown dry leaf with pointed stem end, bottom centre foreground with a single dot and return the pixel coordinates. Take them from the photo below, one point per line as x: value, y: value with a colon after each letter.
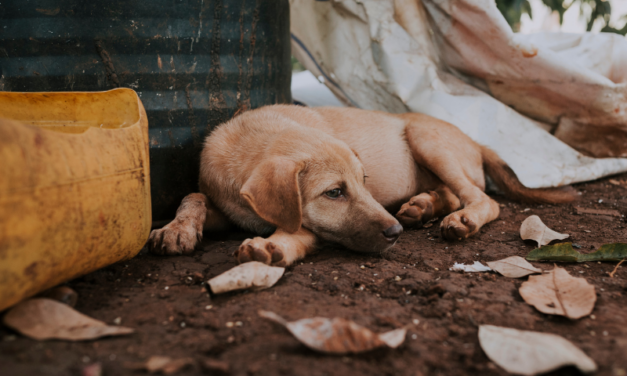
x: 337, y: 336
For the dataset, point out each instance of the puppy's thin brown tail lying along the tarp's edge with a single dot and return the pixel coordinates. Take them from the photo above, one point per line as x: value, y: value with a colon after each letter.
x: 505, y: 178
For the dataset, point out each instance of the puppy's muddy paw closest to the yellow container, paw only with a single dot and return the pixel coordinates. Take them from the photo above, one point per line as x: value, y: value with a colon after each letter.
x: 177, y: 237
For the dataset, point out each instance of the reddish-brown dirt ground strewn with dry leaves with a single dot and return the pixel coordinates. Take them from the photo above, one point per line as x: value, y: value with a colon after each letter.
x: 163, y: 298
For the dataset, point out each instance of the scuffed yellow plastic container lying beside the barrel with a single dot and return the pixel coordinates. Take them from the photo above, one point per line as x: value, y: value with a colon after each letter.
x: 74, y: 186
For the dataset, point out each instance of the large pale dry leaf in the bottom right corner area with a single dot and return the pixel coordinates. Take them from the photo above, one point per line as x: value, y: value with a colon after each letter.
x: 530, y: 353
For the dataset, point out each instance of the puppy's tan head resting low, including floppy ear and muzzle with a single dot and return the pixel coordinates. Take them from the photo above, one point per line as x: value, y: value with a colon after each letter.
x: 320, y: 183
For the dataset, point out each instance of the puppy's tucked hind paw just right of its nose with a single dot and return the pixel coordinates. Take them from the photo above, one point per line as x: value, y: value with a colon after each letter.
x: 422, y: 208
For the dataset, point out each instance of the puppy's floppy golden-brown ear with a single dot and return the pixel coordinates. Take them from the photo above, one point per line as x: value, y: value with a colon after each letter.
x: 272, y: 191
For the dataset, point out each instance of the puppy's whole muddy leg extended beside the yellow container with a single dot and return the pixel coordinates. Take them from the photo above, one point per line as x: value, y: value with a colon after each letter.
x: 181, y: 235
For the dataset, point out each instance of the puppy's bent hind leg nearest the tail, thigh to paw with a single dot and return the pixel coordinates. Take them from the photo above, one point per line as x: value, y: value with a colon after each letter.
x: 457, y: 161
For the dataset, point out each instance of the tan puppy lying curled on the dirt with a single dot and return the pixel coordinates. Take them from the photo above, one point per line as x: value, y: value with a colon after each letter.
x: 305, y: 175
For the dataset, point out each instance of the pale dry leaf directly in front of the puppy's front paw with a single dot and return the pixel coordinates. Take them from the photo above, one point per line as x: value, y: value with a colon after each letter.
x: 254, y: 275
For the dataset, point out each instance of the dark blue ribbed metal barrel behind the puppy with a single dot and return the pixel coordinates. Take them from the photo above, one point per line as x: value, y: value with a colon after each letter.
x: 194, y: 64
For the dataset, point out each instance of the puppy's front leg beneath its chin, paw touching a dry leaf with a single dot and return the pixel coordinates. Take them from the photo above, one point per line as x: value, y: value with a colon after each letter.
x: 280, y: 249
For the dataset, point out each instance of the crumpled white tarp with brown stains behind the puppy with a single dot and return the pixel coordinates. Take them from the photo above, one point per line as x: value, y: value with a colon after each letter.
x: 459, y: 61
